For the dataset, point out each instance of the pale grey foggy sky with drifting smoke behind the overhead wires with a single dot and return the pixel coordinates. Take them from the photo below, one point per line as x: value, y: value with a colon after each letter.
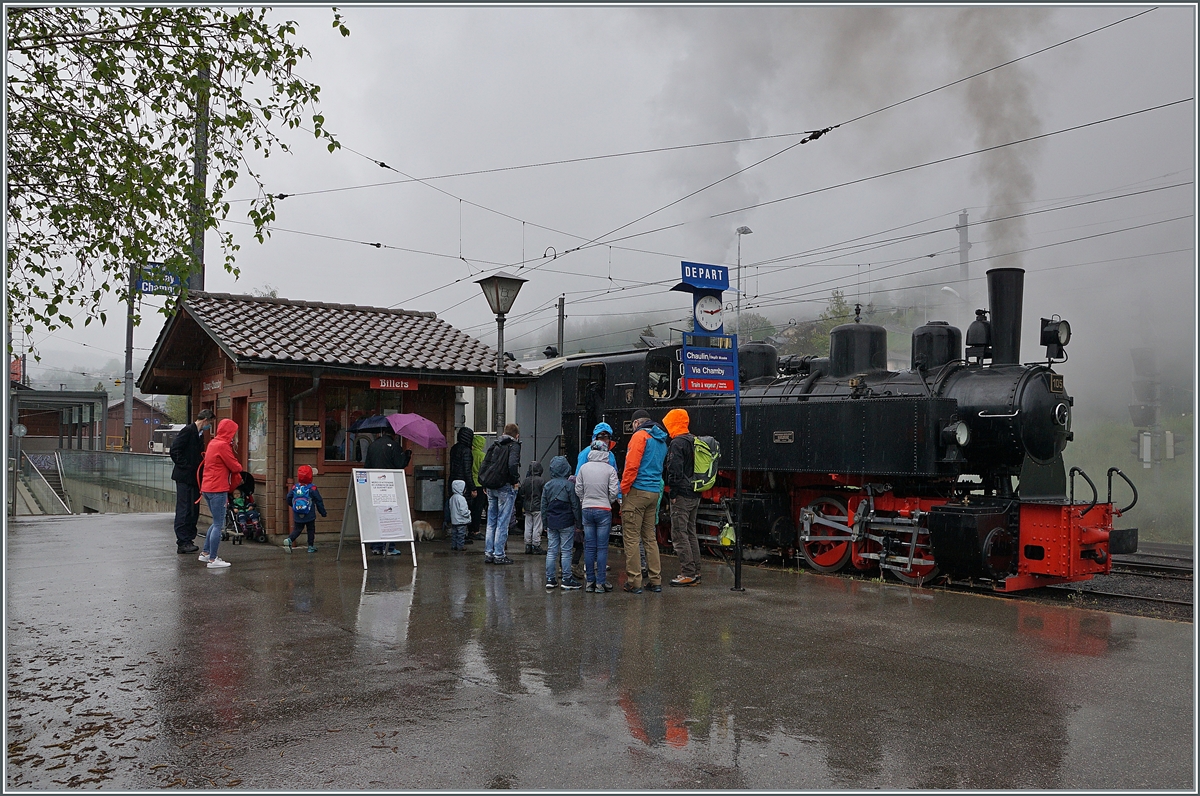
x: 445, y: 91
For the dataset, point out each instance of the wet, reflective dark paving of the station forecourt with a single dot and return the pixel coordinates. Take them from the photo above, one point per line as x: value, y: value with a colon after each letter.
x: 130, y: 667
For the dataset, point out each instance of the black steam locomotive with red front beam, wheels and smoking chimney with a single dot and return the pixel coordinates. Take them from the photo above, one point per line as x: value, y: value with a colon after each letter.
x: 953, y: 466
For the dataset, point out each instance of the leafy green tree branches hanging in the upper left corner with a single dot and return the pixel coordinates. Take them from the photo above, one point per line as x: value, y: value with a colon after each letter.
x: 101, y: 110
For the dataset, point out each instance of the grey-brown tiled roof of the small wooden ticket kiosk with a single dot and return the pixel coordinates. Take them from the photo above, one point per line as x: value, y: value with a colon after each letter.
x: 315, y: 333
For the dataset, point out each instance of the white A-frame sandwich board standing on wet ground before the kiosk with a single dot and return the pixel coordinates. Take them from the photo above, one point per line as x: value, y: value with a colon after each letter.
x: 377, y: 511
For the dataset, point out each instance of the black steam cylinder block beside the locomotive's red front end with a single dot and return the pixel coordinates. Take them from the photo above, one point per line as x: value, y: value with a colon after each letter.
x: 976, y: 541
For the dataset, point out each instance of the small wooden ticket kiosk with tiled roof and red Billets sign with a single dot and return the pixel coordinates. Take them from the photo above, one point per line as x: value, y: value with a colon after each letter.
x: 296, y: 375
